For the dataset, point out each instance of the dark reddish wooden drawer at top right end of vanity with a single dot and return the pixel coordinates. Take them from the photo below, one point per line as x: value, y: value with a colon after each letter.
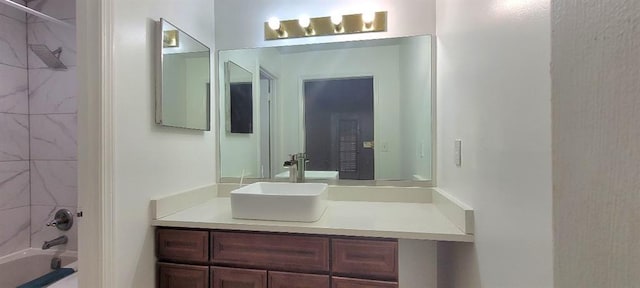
x: 365, y: 258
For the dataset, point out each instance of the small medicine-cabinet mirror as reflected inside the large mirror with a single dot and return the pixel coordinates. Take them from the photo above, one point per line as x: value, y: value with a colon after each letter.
x: 239, y: 98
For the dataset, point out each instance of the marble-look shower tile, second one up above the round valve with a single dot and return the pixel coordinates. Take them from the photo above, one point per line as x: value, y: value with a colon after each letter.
x: 53, y: 137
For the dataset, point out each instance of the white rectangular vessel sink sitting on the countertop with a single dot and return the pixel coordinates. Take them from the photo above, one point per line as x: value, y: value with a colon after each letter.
x: 300, y: 202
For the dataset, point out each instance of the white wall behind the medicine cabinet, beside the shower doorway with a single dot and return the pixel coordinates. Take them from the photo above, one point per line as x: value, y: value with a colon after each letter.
x: 150, y: 160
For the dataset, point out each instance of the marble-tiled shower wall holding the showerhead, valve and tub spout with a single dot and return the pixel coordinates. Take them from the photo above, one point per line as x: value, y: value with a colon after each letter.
x: 53, y: 122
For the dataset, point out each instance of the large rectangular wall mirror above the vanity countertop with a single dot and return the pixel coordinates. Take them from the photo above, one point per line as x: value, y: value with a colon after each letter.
x: 360, y: 110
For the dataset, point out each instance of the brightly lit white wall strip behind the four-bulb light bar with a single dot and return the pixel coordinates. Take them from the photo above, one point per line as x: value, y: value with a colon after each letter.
x: 240, y: 23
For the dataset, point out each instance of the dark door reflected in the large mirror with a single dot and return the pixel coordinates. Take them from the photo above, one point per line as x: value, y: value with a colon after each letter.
x: 339, y: 126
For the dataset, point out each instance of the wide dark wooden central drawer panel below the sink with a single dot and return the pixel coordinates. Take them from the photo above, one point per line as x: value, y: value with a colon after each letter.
x: 273, y: 251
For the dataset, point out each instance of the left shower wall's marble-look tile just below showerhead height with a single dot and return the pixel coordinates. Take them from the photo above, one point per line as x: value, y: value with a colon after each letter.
x: 14, y: 84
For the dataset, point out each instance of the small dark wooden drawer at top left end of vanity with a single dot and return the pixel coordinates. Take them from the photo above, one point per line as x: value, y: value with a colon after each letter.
x: 187, y: 246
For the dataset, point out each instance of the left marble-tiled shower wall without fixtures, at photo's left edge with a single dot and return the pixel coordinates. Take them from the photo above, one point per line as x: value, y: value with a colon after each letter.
x: 14, y: 132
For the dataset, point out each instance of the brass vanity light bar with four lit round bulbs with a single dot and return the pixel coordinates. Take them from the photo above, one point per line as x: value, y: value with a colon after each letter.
x: 335, y: 24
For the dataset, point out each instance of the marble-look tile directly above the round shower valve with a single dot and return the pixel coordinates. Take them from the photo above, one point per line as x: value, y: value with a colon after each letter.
x: 54, y: 183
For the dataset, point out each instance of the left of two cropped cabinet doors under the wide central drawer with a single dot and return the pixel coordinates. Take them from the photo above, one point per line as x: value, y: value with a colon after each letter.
x: 238, y: 278
